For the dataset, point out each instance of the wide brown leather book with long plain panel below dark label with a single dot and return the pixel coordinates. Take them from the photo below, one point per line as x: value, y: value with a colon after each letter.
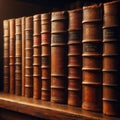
x: 59, y: 57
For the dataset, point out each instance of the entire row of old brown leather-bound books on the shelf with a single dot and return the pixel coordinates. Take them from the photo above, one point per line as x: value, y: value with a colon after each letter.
x: 66, y: 57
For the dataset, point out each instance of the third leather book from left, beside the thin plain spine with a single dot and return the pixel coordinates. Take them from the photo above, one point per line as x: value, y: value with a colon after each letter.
x: 18, y: 56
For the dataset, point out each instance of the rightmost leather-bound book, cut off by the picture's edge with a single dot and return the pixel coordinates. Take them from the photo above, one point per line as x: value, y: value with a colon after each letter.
x: 111, y: 58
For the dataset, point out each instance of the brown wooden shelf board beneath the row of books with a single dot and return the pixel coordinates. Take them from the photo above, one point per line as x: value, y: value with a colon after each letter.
x: 43, y: 109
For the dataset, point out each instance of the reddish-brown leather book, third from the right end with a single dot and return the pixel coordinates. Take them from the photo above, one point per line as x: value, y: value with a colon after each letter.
x: 75, y: 57
